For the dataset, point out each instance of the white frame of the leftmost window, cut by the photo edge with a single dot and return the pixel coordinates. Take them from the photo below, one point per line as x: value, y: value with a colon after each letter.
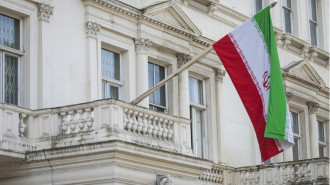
x: 16, y: 53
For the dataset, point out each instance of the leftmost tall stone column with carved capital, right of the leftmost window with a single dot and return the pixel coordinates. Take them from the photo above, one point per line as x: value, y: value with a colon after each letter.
x: 44, y: 13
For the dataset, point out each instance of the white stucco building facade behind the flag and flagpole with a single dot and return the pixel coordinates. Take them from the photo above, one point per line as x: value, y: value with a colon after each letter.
x: 70, y: 68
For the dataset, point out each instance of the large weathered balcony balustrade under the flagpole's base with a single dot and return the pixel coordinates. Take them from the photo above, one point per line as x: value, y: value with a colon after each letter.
x: 23, y: 130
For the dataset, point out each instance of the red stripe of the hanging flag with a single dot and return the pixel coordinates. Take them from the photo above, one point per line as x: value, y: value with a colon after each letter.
x: 248, y: 93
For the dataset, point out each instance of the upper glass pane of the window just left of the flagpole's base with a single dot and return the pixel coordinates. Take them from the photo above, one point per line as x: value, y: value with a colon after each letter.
x: 110, y: 64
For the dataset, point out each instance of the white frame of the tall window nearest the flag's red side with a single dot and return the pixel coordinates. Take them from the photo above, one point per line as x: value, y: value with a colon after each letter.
x: 203, y: 108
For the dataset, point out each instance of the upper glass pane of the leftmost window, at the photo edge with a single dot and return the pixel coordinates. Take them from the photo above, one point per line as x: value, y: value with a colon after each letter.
x: 9, y: 32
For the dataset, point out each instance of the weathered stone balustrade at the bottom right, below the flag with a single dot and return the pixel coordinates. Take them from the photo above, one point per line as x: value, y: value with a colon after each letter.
x: 310, y: 171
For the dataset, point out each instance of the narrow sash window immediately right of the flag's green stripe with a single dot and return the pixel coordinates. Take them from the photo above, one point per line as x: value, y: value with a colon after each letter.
x: 296, y: 134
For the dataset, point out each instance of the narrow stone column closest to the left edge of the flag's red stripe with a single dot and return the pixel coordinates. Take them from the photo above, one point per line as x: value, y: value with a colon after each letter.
x: 219, y: 75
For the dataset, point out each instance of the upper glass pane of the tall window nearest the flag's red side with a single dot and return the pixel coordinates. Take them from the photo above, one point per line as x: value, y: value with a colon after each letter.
x: 196, y: 90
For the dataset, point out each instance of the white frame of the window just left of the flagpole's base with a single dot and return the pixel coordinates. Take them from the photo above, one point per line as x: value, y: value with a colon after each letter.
x: 110, y: 81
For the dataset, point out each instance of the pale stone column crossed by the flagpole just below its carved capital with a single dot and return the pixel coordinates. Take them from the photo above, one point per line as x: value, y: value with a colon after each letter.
x: 184, y: 104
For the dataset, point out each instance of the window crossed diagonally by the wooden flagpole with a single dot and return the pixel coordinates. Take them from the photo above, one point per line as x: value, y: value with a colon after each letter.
x: 157, y: 100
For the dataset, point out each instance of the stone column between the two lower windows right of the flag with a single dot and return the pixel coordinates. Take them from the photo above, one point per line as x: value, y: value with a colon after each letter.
x: 314, y: 140
